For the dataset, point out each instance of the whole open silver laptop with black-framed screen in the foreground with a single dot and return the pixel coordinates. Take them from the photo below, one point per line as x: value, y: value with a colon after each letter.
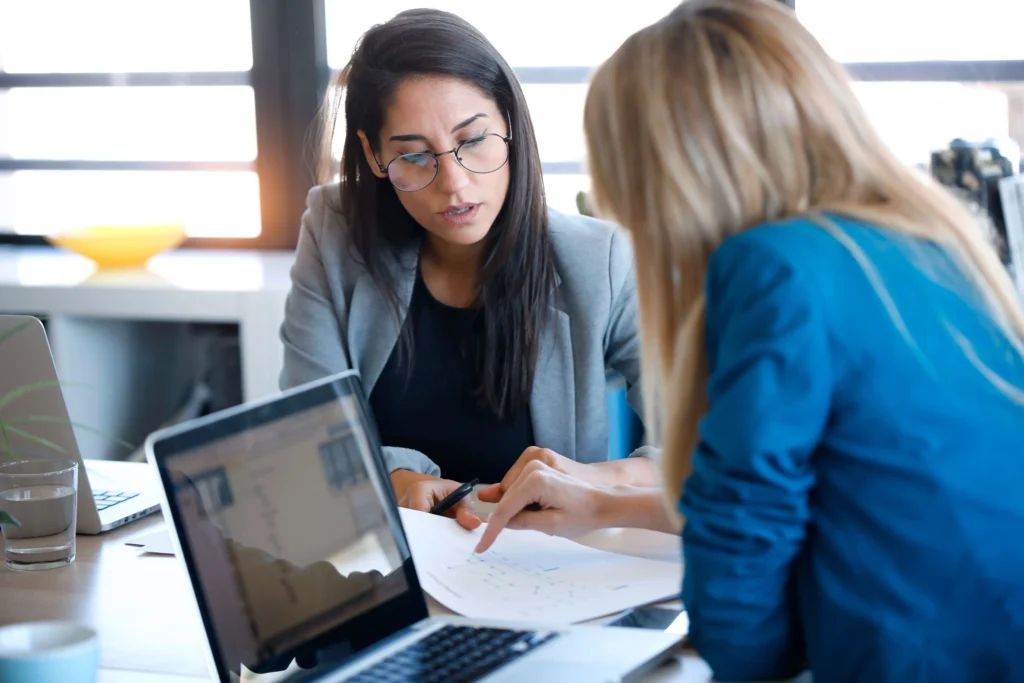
x: 284, y: 517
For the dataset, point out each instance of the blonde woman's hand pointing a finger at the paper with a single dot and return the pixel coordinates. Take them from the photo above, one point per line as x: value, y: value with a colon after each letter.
x: 545, y: 499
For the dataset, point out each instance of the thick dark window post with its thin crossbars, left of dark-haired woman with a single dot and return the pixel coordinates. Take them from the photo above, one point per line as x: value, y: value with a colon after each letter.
x: 289, y: 77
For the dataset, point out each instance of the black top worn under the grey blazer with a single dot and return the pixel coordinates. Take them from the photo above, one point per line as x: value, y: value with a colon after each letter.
x: 434, y: 410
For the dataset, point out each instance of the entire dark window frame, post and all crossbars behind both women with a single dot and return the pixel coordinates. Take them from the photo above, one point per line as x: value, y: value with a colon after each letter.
x: 289, y: 77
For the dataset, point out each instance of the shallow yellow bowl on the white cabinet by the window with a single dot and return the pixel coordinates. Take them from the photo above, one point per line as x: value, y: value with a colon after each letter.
x: 121, y: 246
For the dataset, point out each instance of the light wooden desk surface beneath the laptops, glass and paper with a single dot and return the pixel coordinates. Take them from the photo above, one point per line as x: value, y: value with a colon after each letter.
x: 142, y: 606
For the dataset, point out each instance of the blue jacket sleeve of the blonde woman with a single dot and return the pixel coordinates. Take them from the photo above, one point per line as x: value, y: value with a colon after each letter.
x: 747, y: 501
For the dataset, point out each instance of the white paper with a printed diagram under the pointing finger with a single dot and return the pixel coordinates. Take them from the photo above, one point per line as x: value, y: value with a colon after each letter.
x: 529, y: 576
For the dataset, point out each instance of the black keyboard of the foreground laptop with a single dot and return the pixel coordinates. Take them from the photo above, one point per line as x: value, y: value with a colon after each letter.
x: 454, y: 655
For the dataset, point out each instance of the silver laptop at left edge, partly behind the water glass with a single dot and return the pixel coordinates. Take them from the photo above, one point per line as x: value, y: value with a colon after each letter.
x: 110, y: 494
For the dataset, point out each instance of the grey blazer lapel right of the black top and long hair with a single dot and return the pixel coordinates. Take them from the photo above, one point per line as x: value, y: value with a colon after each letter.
x: 552, y: 408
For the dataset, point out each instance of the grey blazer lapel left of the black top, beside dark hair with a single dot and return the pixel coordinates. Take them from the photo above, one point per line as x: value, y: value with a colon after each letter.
x: 373, y: 329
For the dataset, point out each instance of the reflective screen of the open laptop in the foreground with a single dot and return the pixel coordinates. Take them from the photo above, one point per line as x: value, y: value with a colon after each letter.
x: 290, y: 530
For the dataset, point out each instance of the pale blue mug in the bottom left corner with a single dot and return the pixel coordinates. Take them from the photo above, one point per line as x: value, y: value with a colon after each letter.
x: 45, y: 652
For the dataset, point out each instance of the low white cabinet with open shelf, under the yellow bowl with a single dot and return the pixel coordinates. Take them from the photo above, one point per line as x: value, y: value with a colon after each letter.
x: 116, y: 329
